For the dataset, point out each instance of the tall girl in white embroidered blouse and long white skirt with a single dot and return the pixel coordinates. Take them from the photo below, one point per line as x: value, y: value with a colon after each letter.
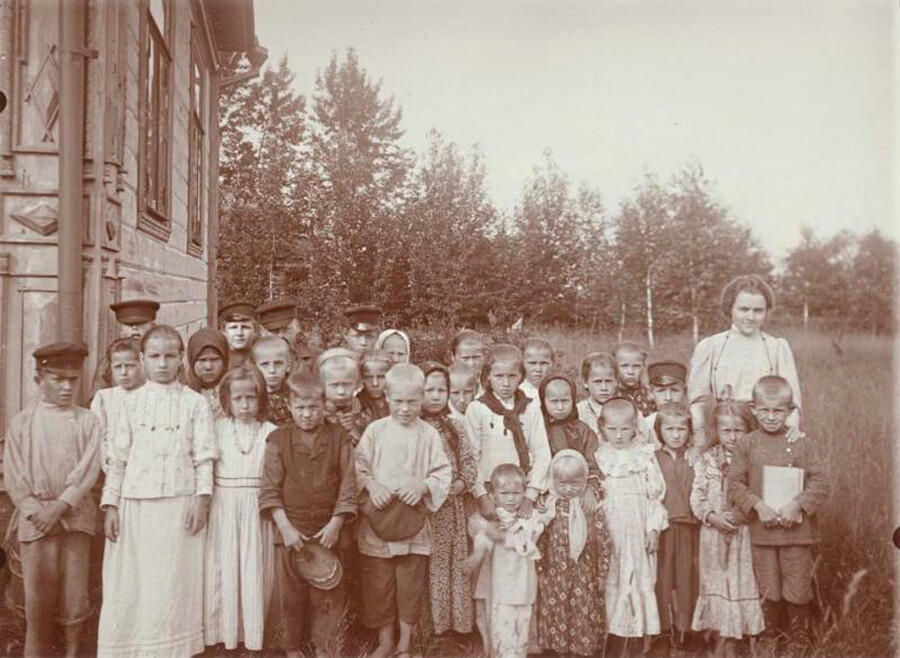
x: 155, y: 501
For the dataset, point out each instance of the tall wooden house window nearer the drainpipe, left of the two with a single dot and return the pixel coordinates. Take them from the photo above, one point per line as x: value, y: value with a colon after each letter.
x: 156, y: 95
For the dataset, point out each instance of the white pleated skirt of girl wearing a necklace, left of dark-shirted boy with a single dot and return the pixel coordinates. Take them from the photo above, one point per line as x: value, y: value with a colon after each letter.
x: 240, y: 569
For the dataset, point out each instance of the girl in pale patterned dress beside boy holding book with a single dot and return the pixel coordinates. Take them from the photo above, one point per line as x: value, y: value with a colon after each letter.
x: 729, y: 598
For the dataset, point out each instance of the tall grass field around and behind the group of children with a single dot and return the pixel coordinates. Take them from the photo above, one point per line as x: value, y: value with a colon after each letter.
x: 848, y: 407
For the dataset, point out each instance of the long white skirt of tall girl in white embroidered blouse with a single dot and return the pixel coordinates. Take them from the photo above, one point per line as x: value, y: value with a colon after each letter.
x: 152, y: 583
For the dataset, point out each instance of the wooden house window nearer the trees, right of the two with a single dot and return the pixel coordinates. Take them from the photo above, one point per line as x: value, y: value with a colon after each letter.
x: 197, y: 165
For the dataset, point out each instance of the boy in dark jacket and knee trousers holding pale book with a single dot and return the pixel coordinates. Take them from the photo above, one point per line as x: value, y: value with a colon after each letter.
x: 782, y: 538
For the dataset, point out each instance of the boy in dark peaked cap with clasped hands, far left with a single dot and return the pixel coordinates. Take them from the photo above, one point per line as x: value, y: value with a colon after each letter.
x: 51, y: 460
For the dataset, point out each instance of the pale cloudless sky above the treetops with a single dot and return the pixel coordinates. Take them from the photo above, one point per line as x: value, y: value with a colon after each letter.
x: 786, y: 105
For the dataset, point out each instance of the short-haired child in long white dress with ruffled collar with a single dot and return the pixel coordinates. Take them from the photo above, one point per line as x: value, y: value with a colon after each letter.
x: 635, y: 515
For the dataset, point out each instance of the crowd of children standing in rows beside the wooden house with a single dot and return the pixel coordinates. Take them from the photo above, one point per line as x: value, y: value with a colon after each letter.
x: 280, y: 488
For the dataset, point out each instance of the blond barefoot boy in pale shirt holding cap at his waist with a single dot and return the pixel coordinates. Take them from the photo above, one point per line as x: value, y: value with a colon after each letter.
x: 403, y: 470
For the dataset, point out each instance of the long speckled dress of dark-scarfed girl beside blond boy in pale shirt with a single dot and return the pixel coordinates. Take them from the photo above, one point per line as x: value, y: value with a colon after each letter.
x: 451, y: 592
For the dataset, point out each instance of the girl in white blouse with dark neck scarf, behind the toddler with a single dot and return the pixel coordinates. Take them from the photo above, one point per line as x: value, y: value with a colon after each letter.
x: 505, y: 427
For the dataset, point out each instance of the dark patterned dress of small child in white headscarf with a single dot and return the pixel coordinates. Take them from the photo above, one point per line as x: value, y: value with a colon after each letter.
x: 571, y: 608
